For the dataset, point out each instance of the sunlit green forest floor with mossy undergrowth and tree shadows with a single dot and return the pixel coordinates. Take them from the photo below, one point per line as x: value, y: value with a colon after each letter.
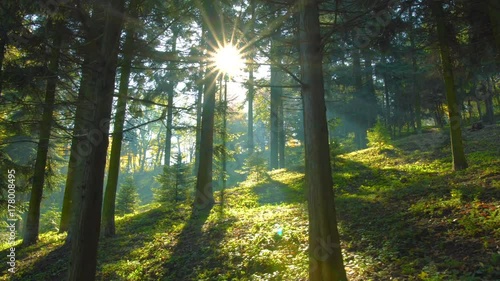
x: 403, y: 215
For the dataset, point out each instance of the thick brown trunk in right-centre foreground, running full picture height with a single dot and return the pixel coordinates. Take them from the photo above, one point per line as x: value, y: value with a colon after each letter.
x: 325, y: 257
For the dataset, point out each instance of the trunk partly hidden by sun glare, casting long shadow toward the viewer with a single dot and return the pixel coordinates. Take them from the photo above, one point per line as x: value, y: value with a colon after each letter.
x: 204, y: 198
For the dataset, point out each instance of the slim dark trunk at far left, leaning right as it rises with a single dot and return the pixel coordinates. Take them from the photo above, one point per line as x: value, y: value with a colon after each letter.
x: 33, y: 216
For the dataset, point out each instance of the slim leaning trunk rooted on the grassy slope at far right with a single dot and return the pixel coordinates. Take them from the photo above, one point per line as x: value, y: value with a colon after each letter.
x: 459, y: 161
